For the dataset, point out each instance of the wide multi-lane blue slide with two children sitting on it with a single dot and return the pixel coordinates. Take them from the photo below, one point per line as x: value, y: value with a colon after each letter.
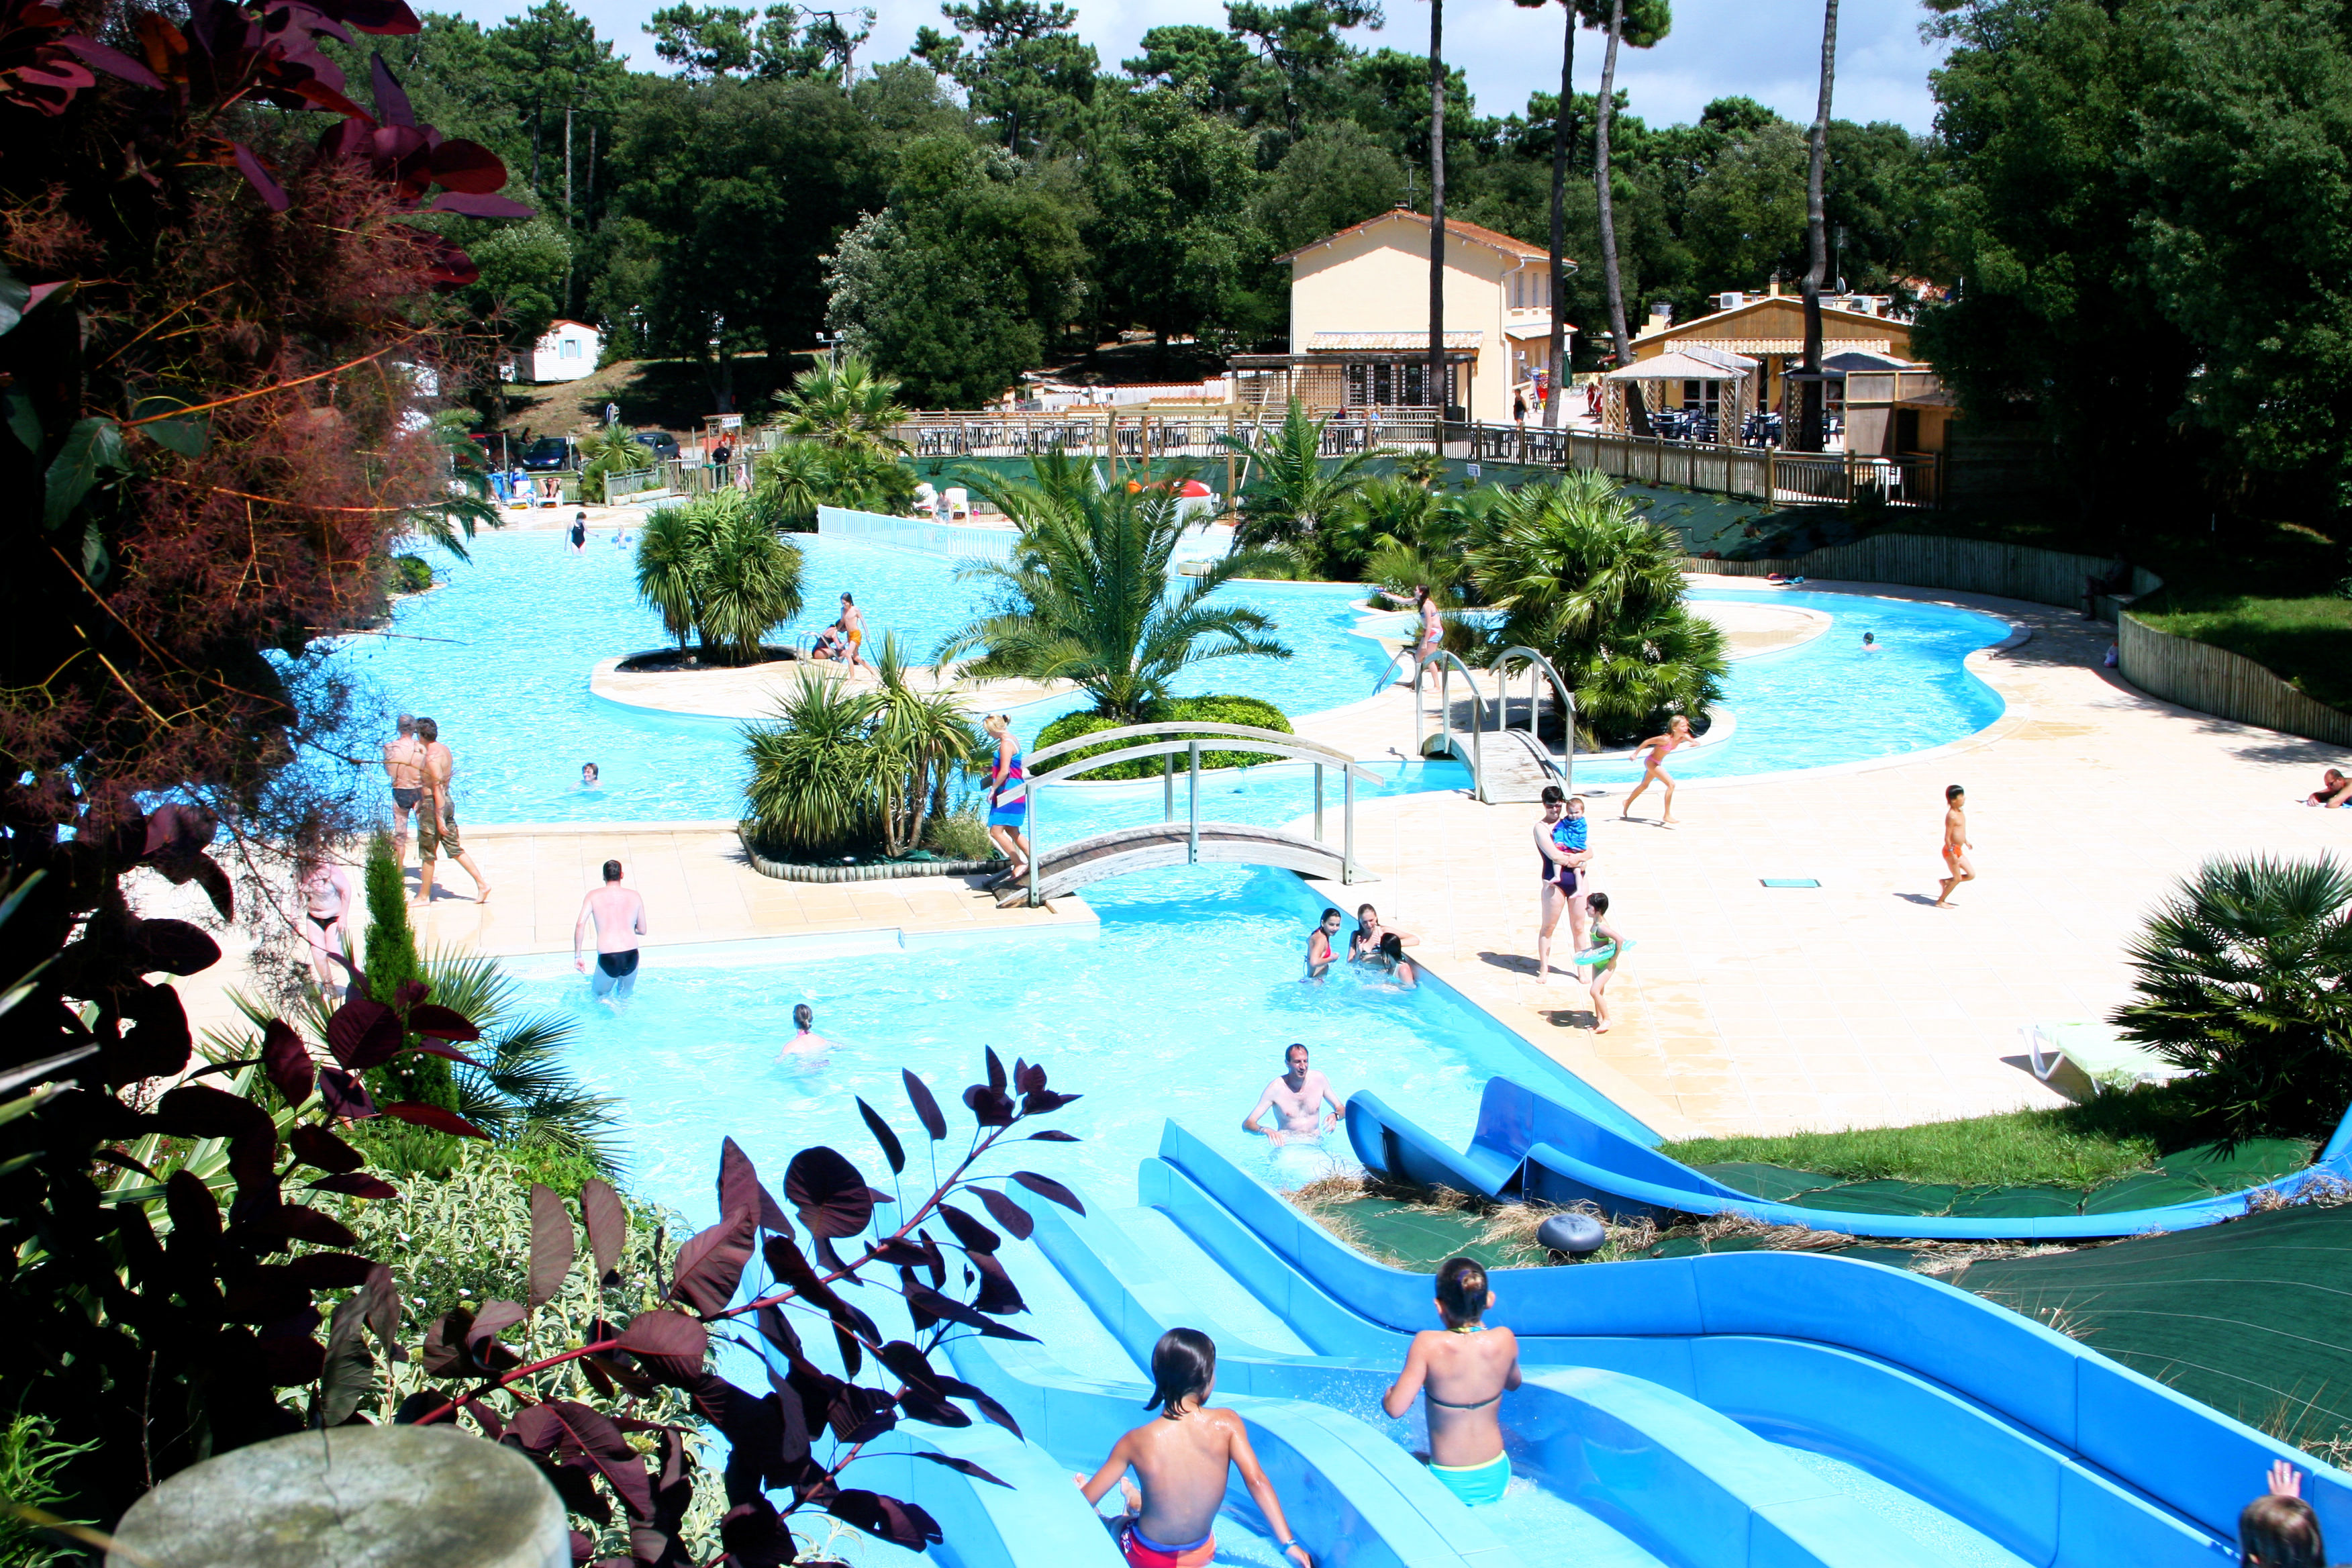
x: 1753, y: 1409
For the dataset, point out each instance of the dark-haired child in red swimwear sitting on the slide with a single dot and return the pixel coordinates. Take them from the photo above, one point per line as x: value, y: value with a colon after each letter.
x: 1182, y: 1461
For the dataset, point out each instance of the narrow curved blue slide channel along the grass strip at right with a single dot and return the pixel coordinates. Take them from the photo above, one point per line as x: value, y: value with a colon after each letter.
x: 1530, y: 1146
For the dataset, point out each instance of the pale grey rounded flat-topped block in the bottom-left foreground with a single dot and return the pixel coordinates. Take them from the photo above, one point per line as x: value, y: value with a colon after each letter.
x: 354, y: 1499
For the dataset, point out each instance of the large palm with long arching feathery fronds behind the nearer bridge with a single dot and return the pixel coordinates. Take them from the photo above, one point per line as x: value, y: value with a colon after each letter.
x: 1088, y: 594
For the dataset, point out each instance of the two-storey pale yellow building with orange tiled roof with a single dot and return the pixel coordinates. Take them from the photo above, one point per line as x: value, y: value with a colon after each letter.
x: 1361, y: 321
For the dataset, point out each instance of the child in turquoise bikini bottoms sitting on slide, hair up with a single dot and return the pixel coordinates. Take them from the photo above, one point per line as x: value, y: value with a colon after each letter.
x: 1464, y: 1372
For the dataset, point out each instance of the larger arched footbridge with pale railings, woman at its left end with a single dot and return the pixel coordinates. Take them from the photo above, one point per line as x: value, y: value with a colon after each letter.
x: 1189, y: 843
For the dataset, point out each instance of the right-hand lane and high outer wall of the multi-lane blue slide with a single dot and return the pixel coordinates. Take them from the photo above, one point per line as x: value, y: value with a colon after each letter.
x: 2026, y: 1438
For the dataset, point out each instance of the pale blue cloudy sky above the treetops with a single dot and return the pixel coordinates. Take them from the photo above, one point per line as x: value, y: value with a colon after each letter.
x: 1768, y: 51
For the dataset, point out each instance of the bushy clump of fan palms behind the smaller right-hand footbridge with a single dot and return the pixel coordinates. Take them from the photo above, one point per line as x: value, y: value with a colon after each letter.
x: 1598, y: 591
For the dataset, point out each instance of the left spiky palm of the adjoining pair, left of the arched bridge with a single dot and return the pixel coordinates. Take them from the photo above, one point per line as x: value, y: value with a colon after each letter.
x: 813, y: 770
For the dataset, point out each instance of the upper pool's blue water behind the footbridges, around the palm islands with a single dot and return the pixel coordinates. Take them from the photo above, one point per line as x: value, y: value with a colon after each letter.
x: 505, y: 648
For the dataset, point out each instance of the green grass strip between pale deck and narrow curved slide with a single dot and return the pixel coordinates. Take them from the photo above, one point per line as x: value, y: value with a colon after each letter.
x: 2073, y: 1146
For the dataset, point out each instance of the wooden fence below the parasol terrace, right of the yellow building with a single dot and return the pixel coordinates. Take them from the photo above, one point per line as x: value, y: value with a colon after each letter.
x: 1760, y: 474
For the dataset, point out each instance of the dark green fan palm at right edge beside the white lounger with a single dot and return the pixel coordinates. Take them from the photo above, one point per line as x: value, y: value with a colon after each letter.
x: 2245, y: 977
